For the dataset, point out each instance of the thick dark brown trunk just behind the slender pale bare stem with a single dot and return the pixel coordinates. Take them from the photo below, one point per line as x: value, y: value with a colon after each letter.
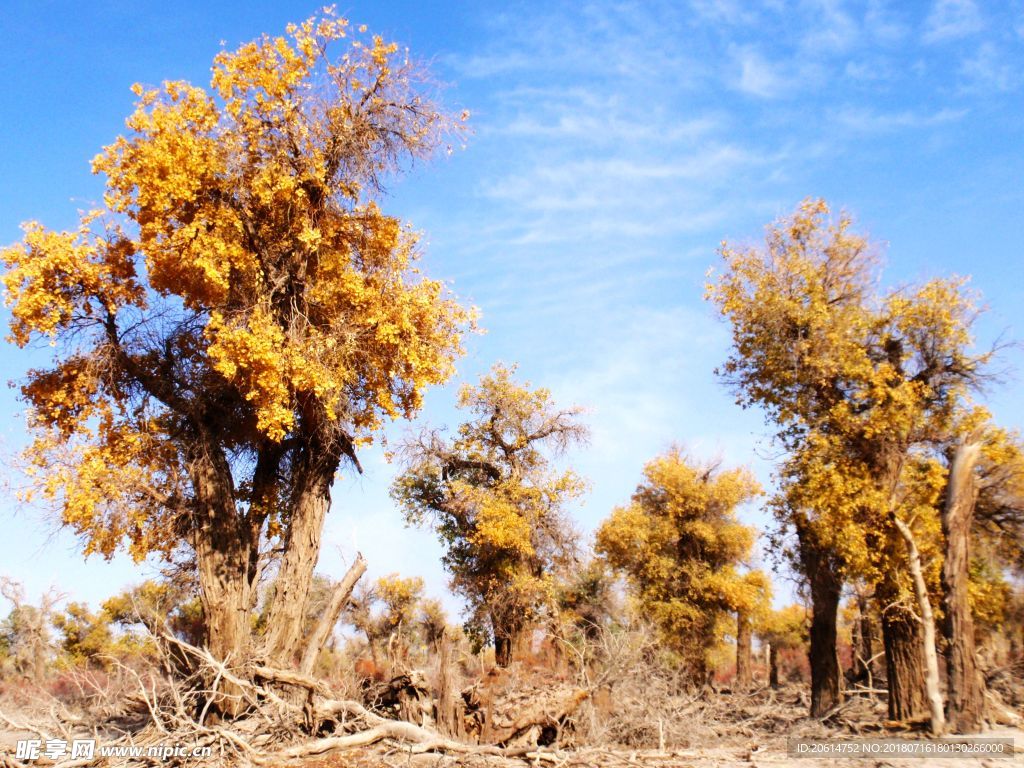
x: 905, y: 671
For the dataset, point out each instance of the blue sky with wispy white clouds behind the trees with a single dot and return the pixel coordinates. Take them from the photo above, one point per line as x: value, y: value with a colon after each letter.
x: 615, y: 146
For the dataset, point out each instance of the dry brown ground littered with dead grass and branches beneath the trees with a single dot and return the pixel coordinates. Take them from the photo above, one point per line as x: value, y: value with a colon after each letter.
x: 608, y: 703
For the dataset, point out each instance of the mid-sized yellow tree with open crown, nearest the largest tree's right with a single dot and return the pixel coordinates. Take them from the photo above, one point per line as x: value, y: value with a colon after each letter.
x: 498, y: 503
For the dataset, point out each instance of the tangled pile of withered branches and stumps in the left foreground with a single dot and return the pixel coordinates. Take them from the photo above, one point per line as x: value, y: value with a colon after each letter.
x: 286, y: 716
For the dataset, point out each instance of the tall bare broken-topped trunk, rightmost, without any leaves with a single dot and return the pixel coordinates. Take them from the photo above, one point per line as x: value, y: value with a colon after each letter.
x: 965, y: 681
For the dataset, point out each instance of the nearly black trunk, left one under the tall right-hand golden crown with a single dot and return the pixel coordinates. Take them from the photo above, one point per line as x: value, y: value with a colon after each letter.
x: 827, y: 588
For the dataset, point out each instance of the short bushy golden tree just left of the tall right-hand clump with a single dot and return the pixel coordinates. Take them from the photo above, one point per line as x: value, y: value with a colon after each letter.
x: 684, y: 549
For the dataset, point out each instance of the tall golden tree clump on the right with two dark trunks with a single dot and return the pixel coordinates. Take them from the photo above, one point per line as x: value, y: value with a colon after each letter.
x: 865, y: 388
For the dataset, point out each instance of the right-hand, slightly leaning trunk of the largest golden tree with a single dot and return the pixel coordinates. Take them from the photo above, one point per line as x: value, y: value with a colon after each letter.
x: 309, y: 508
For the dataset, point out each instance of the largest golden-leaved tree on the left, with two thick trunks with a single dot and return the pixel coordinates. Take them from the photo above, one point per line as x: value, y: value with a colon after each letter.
x: 238, y: 319
